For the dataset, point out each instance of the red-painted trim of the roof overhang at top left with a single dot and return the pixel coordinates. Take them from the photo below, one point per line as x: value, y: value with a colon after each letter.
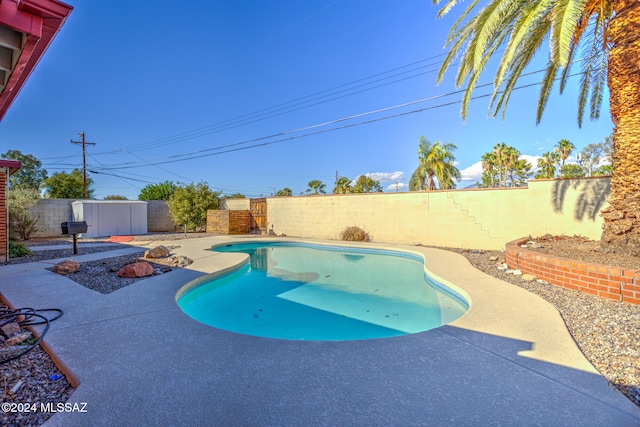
x: 40, y: 20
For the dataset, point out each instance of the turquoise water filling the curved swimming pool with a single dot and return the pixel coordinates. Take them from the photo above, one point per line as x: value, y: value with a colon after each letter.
x: 314, y: 292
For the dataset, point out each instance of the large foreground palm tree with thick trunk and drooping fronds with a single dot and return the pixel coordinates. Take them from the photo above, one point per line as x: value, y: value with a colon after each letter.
x: 603, y: 36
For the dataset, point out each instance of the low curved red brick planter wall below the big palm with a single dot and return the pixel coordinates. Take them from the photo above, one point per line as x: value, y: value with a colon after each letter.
x: 620, y: 284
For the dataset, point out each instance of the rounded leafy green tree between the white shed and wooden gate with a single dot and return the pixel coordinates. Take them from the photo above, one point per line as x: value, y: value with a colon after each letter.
x: 189, y: 205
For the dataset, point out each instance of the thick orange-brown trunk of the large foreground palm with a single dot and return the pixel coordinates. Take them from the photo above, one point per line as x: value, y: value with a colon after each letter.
x: 621, y: 230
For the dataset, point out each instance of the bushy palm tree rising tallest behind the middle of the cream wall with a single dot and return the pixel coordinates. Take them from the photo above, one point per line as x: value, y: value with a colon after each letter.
x: 436, y: 163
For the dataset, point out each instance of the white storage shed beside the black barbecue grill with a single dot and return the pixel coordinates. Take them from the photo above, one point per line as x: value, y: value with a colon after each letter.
x: 111, y: 217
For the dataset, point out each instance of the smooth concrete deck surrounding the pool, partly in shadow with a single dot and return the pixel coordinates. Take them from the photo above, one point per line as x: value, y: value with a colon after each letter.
x: 510, y: 357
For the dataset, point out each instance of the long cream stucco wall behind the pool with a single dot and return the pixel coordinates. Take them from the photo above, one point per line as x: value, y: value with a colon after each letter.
x: 482, y: 218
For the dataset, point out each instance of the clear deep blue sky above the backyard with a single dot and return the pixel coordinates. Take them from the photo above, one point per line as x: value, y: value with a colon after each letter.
x: 166, y: 91
